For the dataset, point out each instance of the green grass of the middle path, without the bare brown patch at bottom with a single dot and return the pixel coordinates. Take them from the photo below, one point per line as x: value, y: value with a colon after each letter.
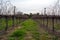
x: 27, y: 26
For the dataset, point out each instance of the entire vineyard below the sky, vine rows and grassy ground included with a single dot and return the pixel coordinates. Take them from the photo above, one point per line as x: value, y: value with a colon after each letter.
x: 29, y: 28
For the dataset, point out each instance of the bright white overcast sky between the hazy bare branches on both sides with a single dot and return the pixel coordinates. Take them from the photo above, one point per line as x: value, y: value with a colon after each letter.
x: 28, y: 6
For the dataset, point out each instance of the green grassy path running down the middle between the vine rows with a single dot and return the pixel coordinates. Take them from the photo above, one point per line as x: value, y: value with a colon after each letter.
x: 28, y: 31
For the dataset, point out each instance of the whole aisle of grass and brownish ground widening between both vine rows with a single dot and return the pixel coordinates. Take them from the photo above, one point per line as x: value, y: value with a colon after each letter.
x: 30, y: 30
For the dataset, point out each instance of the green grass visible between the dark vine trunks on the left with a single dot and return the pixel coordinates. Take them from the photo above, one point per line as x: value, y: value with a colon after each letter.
x: 10, y: 23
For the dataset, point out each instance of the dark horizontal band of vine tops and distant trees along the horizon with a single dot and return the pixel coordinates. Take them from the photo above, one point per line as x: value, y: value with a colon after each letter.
x: 26, y: 16
